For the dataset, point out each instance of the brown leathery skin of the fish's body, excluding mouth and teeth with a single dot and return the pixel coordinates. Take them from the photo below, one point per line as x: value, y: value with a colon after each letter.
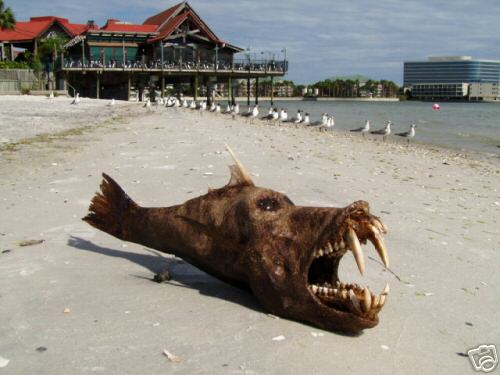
x: 251, y: 237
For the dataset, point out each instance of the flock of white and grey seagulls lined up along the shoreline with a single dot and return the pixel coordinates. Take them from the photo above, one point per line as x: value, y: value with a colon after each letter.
x: 273, y: 116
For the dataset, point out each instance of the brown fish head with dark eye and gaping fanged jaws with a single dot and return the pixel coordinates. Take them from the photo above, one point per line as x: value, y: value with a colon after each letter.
x: 292, y: 255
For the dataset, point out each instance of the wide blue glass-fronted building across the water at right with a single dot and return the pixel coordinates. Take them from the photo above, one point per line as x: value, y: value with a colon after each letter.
x: 448, y: 77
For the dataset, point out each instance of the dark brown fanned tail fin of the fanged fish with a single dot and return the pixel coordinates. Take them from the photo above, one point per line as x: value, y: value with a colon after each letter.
x: 111, y: 209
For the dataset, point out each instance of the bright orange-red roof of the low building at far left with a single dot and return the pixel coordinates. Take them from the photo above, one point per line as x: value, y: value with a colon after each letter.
x: 36, y: 26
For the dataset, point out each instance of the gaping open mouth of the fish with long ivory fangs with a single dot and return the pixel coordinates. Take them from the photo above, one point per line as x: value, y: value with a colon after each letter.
x: 323, y: 281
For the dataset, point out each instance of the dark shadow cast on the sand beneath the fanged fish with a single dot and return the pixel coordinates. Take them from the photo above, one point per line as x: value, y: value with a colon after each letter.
x: 182, y: 272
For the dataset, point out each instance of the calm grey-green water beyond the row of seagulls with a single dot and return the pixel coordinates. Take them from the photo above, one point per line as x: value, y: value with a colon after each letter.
x: 468, y: 126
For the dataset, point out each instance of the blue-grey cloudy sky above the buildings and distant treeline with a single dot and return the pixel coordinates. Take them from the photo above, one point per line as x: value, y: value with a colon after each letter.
x: 322, y: 38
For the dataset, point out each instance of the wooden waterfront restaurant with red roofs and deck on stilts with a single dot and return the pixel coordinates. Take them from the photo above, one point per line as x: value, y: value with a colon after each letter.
x: 174, y: 47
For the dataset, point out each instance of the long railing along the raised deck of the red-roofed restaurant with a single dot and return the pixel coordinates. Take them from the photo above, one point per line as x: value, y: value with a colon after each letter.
x: 243, y: 65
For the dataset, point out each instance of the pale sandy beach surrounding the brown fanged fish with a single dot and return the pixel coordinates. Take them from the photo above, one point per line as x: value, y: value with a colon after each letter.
x: 80, y: 301
